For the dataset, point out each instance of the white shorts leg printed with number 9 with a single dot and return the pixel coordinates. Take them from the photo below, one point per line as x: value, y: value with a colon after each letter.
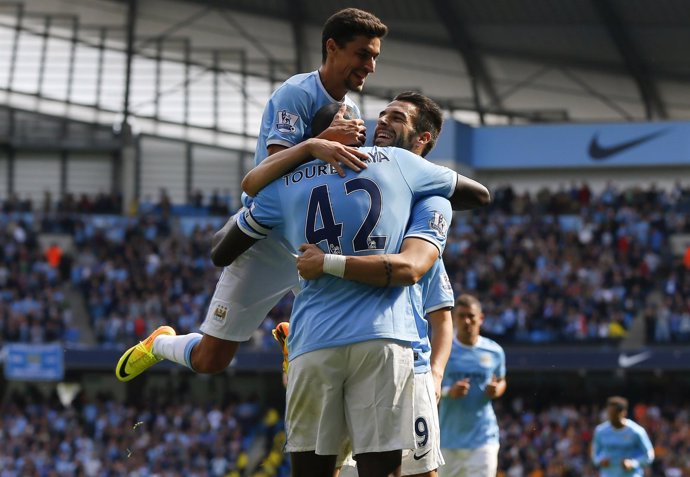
x: 426, y: 458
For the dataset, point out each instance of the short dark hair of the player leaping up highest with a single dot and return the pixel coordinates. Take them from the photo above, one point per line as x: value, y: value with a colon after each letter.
x: 348, y: 23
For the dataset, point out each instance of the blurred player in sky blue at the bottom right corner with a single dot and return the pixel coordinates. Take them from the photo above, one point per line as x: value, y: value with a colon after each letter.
x: 620, y: 446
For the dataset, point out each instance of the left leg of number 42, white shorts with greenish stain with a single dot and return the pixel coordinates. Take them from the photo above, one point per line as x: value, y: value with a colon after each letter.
x: 314, y: 417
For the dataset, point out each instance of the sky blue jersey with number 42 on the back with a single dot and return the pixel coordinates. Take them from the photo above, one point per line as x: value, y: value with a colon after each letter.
x: 359, y: 214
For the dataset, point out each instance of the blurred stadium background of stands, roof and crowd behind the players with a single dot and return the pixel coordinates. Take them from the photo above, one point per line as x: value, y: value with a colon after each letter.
x: 127, y: 126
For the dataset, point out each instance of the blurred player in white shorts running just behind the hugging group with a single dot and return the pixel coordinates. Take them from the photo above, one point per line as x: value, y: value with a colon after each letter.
x: 475, y: 375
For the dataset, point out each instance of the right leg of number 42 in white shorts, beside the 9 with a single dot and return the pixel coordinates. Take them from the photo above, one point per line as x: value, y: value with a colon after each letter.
x: 379, y: 405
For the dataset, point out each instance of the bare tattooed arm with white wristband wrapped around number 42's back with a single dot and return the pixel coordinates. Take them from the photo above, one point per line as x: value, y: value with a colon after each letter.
x: 401, y: 269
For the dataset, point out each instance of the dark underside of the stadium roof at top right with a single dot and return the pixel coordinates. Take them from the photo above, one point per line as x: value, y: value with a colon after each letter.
x: 646, y: 40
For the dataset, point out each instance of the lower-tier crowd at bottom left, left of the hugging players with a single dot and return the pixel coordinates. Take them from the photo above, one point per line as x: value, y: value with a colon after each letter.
x: 100, y: 436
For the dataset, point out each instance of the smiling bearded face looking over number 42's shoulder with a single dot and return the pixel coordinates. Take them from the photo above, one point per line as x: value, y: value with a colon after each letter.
x: 395, y: 126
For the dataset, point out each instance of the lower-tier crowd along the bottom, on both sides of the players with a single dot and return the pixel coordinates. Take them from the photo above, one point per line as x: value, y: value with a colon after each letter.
x: 103, y: 437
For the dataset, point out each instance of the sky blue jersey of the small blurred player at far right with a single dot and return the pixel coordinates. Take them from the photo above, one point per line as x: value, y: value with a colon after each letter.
x: 629, y: 442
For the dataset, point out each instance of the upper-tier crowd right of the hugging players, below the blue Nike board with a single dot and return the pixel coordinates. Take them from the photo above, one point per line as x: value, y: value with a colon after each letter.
x: 570, y: 265
